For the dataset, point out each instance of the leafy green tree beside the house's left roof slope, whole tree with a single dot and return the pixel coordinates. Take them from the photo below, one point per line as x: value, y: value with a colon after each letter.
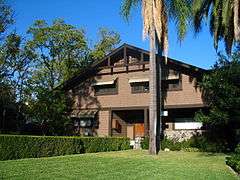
x: 61, y: 51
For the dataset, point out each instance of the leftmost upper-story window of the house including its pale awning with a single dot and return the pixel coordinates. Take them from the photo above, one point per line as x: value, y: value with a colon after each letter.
x: 106, y: 88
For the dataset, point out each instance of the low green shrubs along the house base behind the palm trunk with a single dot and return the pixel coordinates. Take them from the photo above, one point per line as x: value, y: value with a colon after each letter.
x: 196, y: 143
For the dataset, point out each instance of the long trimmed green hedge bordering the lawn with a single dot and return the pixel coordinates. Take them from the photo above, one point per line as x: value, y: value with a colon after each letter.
x: 19, y: 146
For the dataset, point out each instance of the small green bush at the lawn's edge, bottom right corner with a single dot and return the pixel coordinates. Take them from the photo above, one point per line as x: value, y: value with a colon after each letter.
x: 234, y: 160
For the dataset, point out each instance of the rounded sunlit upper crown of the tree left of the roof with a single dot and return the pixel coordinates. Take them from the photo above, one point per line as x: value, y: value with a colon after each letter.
x: 61, y: 50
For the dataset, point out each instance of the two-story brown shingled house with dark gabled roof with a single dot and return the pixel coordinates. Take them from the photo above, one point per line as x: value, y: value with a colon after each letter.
x: 111, y: 98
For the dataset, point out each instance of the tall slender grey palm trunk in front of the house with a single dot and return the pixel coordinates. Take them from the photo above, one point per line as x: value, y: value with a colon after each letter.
x: 154, y: 98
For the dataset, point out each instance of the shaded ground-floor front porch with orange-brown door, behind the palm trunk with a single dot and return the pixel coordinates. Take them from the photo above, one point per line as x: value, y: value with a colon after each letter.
x: 134, y: 124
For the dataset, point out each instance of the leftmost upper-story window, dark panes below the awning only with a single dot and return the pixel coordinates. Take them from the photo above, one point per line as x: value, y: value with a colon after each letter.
x: 108, y: 89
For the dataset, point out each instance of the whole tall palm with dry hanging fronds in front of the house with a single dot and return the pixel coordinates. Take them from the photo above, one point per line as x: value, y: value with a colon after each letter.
x: 155, y: 15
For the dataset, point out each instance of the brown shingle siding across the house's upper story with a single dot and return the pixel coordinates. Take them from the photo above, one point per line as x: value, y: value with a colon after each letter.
x: 125, y: 98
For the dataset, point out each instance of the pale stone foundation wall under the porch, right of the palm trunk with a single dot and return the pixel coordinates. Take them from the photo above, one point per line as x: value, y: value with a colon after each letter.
x: 181, y: 135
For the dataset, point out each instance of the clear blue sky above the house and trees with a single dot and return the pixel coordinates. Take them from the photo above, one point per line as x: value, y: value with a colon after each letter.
x: 93, y: 14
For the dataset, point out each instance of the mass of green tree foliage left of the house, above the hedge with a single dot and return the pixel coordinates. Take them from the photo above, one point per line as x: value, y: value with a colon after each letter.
x: 31, y: 68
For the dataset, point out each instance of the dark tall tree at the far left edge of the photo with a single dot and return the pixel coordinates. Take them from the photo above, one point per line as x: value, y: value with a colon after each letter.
x: 12, y: 70
